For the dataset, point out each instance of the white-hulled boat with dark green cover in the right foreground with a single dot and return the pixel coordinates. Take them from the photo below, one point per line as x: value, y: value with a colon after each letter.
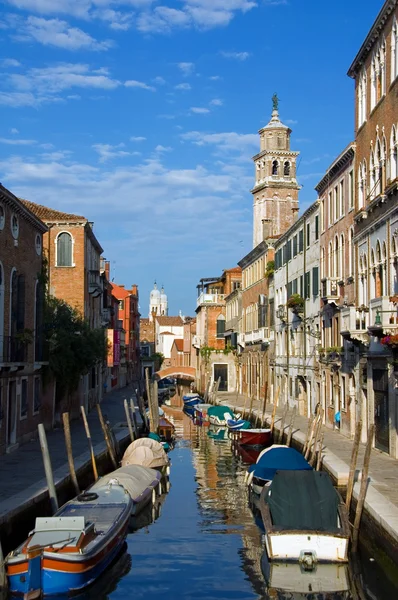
x: 305, y: 519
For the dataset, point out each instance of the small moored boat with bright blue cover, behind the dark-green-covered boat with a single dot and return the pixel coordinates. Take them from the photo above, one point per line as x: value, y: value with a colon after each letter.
x: 273, y: 459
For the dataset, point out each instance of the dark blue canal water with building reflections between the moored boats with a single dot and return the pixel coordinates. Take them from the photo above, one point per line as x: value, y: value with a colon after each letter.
x: 203, y: 541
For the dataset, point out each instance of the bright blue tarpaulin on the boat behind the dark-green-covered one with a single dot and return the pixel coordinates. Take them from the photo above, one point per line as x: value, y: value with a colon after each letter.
x: 280, y: 458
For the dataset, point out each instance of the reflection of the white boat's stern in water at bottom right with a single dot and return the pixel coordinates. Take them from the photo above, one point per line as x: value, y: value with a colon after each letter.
x: 288, y: 581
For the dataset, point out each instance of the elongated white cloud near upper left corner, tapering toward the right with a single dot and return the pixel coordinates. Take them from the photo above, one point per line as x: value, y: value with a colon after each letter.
x: 54, y: 32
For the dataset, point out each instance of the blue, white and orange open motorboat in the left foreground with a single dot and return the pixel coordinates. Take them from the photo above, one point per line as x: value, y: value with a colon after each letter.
x: 67, y: 552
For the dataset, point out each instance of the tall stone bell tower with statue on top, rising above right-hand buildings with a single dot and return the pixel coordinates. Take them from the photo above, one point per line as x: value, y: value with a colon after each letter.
x: 275, y: 191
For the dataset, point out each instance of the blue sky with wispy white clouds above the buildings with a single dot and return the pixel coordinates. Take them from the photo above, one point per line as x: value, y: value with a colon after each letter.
x: 142, y: 115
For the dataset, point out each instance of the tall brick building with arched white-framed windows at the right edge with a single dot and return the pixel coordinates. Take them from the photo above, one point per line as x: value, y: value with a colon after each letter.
x: 375, y: 71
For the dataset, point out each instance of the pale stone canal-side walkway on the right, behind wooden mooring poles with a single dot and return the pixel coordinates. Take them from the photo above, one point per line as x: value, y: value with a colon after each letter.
x: 379, y: 526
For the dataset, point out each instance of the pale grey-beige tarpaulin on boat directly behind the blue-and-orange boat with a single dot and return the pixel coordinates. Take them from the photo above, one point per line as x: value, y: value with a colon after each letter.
x: 136, y: 479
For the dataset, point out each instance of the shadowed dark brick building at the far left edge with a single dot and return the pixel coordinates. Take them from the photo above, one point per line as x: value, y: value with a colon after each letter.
x: 24, y: 402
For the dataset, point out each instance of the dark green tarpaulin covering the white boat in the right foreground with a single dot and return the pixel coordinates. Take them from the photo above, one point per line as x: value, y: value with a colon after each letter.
x: 303, y: 501
